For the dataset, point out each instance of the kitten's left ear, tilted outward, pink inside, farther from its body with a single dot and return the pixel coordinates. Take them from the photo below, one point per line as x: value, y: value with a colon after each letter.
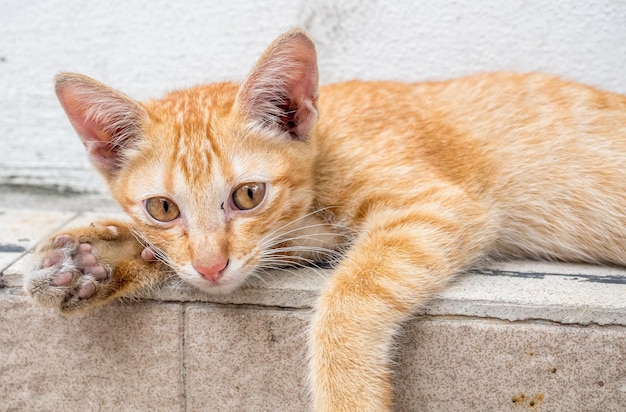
x: 107, y: 121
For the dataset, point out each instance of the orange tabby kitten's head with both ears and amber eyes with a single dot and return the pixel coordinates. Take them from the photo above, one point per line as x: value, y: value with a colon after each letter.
x: 213, y: 176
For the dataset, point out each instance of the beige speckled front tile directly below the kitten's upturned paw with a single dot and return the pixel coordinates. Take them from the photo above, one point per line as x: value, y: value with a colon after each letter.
x: 122, y: 357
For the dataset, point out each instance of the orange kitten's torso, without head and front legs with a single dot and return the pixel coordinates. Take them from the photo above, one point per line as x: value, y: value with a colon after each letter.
x: 542, y: 158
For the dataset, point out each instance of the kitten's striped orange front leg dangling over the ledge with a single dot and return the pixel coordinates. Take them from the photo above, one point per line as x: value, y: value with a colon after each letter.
x: 400, y: 260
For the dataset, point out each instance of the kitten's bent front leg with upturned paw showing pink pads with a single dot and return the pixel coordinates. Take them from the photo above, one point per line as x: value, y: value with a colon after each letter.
x: 85, y: 267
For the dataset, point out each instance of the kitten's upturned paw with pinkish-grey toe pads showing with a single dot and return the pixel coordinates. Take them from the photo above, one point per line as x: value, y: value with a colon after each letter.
x: 68, y: 272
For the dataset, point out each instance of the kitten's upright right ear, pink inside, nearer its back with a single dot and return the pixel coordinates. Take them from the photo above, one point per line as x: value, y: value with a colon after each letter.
x: 280, y: 94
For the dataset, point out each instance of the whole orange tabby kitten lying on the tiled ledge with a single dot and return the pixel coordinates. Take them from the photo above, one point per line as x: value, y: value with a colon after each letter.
x: 401, y: 186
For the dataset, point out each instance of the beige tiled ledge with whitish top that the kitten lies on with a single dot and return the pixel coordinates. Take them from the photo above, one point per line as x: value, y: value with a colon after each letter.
x: 514, y: 336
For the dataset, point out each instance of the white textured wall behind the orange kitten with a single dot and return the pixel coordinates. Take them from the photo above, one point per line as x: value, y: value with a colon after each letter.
x: 146, y: 47
